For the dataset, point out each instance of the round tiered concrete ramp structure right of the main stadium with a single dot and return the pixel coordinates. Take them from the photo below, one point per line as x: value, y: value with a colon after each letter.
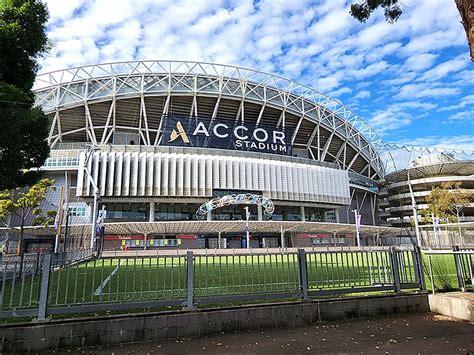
x: 425, y: 173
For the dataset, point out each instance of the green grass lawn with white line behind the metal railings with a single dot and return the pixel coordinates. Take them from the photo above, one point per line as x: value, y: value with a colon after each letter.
x: 114, y: 280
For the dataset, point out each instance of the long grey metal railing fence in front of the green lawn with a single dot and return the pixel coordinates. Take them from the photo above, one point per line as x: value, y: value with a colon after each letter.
x: 57, y: 286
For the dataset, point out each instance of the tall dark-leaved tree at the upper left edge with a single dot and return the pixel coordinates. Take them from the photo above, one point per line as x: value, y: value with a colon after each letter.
x: 23, y: 144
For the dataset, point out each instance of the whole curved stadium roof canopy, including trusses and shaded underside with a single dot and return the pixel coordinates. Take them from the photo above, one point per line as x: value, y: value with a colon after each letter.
x: 92, y: 102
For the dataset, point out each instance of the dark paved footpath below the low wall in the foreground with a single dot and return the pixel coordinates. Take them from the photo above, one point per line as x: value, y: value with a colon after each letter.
x: 406, y: 334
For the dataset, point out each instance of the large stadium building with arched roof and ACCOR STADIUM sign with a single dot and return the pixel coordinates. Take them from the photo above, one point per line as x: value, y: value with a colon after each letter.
x: 175, y: 151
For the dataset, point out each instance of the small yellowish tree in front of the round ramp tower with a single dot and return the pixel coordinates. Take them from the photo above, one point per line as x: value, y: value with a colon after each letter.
x: 446, y: 201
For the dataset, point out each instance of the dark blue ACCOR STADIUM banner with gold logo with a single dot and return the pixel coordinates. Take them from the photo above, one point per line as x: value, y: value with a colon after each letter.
x: 225, y: 134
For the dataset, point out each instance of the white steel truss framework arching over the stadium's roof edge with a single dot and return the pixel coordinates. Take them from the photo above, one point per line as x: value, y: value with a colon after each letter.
x: 86, y: 85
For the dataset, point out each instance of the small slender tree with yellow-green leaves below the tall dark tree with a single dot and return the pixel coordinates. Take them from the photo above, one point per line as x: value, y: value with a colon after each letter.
x: 21, y: 203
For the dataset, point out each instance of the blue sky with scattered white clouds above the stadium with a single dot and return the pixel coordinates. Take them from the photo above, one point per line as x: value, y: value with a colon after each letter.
x: 412, y: 81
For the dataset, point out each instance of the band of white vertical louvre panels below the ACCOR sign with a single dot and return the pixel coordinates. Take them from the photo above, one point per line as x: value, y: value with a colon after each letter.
x: 176, y: 174
